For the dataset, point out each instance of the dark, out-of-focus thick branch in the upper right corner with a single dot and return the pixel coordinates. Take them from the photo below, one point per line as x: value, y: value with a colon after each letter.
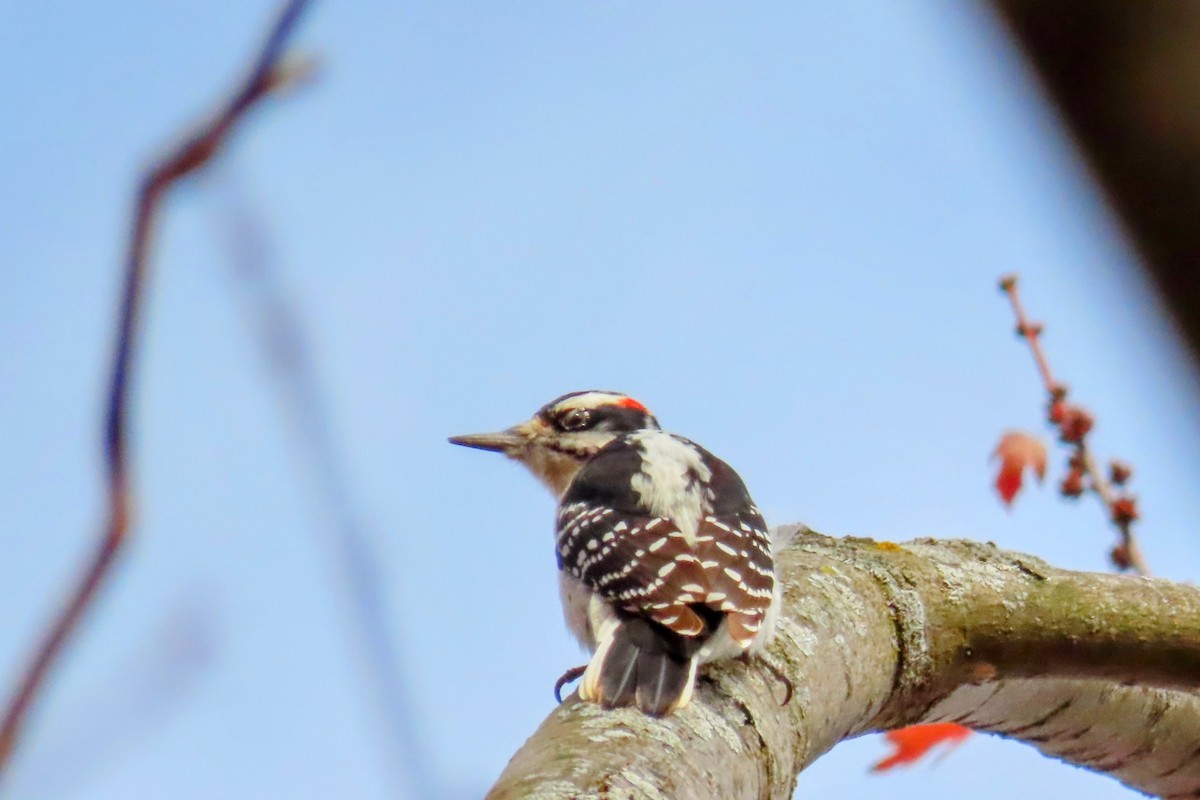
x: 1125, y: 76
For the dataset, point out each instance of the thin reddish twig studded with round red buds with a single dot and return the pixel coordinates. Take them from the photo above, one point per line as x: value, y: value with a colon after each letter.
x: 1075, y: 425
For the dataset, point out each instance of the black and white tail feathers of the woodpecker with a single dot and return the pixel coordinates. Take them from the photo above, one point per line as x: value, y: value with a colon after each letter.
x: 640, y: 663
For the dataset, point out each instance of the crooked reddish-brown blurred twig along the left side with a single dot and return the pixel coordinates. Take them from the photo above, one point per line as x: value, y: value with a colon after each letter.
x: 194, y: 154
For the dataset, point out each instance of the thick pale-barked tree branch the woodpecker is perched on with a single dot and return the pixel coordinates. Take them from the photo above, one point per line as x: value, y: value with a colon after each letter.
x: 1093, y: 669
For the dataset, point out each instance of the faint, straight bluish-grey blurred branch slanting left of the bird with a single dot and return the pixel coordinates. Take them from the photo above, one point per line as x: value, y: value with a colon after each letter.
x: 280, y: 332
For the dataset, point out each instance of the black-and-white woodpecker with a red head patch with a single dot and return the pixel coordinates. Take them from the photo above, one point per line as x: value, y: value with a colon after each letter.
x: 665, y: 563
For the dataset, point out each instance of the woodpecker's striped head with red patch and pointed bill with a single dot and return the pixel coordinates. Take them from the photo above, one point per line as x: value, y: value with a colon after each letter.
x: 566, y: 434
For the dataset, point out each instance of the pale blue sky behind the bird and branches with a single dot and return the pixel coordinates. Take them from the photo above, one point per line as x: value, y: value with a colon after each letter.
x: 781, y: 227
